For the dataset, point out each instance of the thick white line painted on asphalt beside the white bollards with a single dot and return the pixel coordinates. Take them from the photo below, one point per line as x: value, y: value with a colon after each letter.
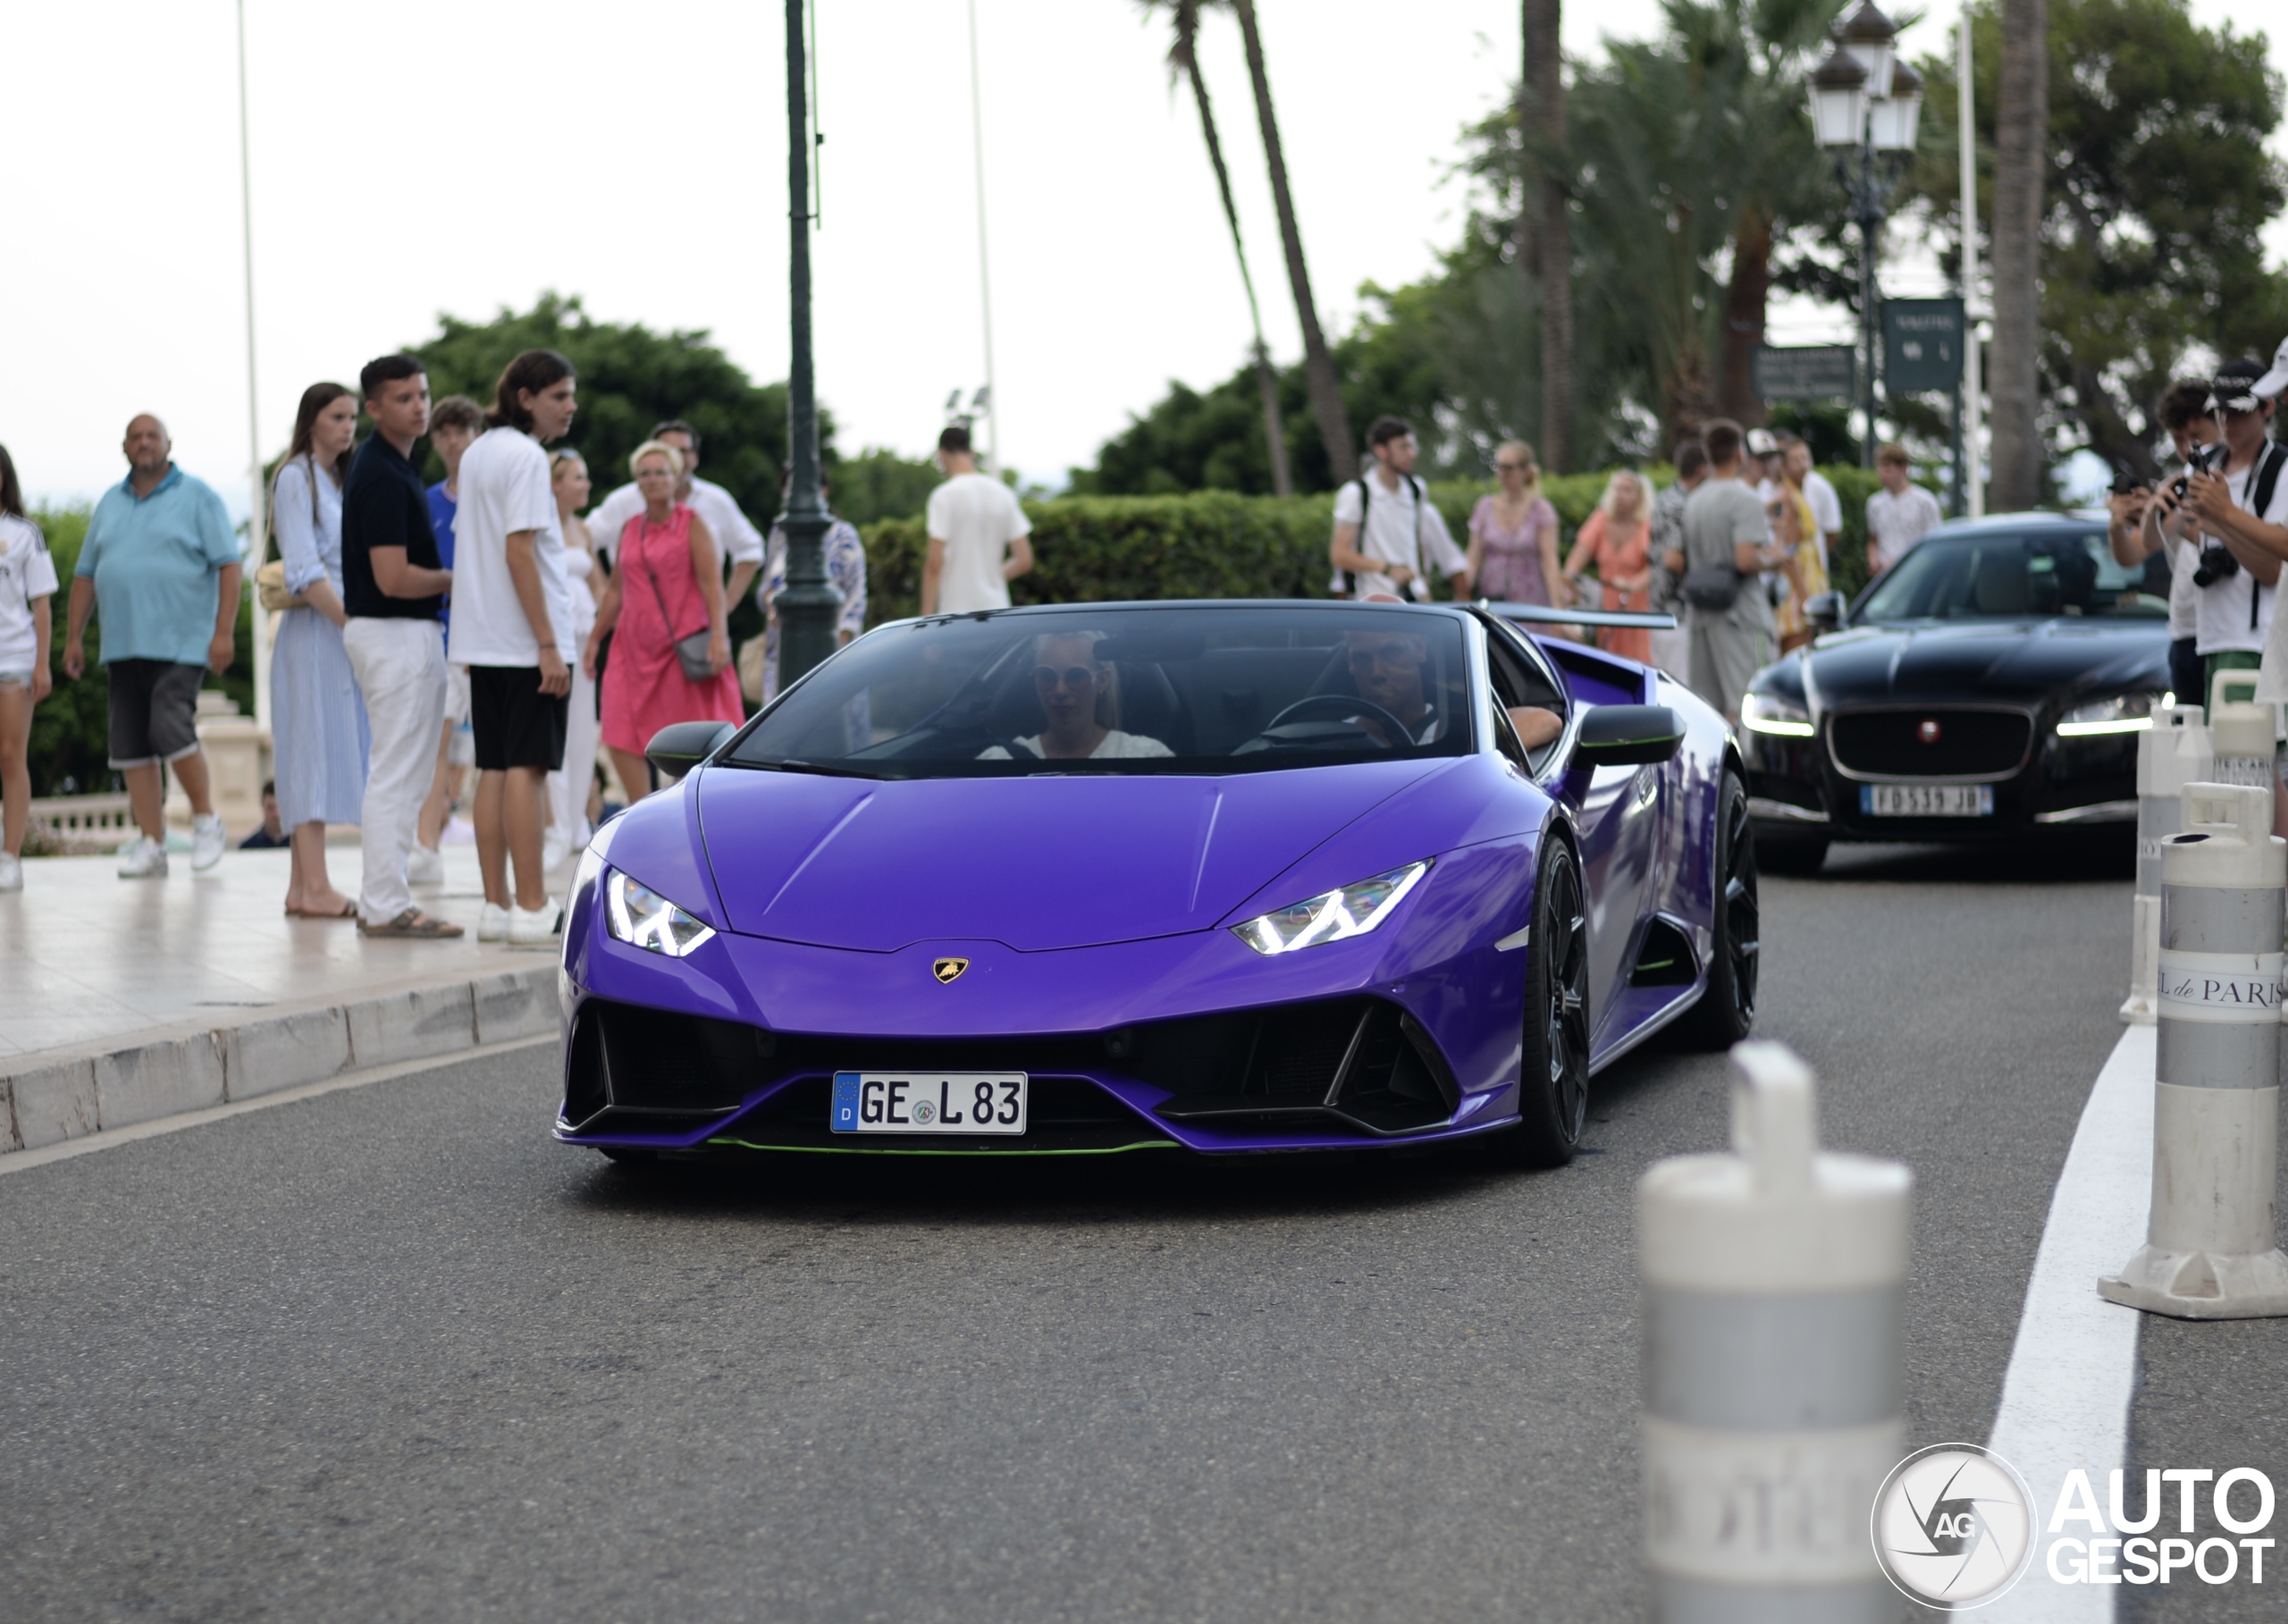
x: 2074, y: 1369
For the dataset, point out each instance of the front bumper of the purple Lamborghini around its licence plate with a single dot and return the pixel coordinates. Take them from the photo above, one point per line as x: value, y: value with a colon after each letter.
x: 1186, y: 1042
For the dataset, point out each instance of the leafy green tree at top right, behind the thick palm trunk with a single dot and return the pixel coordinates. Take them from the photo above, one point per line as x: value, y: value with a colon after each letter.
x: 2156, y: 189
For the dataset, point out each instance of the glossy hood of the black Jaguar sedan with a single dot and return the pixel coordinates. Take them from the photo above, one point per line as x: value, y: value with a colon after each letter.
x: 1989, y: 660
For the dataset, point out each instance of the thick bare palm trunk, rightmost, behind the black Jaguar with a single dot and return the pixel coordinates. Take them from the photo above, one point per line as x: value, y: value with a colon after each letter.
x: 2021, y: 141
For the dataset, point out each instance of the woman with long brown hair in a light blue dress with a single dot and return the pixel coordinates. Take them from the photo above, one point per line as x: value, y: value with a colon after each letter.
x: 319, y: 731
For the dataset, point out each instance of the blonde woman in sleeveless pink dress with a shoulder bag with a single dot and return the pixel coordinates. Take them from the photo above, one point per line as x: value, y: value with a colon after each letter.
x: 667, y: 584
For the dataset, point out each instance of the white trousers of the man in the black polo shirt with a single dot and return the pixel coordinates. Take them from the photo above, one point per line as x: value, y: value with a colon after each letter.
x: 402, y: 671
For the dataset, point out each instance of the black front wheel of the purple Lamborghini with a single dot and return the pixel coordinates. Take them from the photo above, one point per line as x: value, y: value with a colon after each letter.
x: 1552, y: 1083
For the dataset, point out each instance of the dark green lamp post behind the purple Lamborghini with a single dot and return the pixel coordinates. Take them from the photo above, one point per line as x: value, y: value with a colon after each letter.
x: 807, y: 610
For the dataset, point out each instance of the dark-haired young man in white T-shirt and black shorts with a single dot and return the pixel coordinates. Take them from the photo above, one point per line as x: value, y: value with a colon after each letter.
x: 514, y: 632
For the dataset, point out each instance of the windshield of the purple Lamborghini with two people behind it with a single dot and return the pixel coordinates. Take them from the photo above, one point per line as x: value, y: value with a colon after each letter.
x: 1200, y: 690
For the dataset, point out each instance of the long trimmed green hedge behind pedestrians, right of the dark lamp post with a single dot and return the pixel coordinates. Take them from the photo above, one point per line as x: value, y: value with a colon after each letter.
x: 1228, y: 546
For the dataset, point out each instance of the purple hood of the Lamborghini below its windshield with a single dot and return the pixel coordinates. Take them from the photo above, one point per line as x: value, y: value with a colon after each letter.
x: 1033, y: 863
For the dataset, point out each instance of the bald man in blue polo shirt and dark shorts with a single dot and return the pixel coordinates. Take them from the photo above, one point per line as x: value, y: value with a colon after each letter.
x: 161, y: 562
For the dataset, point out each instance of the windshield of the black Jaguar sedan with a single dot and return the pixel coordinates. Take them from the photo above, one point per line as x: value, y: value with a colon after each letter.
x: 2017, y: 575
